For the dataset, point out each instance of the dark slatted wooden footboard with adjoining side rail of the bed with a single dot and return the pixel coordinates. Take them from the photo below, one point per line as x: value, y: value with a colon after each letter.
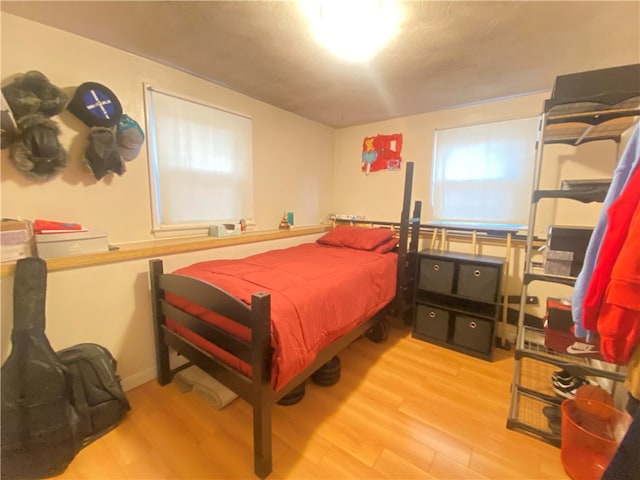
x: 255, y: 389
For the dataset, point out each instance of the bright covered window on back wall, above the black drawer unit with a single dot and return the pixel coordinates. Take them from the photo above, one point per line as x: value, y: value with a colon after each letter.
x: 482, y: 174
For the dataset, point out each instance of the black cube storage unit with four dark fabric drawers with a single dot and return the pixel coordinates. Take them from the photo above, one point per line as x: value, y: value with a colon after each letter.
x: 458, y: 300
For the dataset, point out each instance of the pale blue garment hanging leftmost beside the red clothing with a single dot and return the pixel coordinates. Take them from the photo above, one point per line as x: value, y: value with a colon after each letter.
x: 628, y: 163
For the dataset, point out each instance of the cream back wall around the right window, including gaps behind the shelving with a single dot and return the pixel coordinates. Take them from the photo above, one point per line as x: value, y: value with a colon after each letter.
x: 379, y: 194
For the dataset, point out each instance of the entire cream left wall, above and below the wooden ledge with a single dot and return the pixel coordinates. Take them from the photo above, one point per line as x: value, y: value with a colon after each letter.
x: 110, y: 304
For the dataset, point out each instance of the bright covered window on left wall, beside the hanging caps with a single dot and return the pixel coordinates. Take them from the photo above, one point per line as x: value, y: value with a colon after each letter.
x: 200, y: 164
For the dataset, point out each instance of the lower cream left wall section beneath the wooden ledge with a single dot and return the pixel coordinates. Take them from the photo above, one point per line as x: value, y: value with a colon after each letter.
x: 111, y: 305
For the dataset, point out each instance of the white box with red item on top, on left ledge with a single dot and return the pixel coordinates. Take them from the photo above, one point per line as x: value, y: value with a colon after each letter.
x: 50, y: 245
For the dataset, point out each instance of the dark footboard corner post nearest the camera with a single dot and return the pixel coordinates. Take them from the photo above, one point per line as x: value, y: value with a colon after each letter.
x: 261, y: 380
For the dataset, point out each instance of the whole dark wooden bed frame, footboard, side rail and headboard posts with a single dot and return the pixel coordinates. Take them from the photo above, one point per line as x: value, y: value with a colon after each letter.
x: 257, y: 389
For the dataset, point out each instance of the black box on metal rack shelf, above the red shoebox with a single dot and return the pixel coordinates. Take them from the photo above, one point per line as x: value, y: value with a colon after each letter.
x: 566, y: 249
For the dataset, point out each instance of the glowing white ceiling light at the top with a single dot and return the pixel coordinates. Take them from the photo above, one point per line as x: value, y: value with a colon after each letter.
x: 354, y: 30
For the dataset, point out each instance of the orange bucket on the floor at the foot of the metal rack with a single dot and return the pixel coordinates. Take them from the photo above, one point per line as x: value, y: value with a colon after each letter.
x: 591, y: 434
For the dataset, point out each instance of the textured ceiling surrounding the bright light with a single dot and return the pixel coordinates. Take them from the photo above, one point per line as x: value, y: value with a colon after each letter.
x: 448, y: 53
